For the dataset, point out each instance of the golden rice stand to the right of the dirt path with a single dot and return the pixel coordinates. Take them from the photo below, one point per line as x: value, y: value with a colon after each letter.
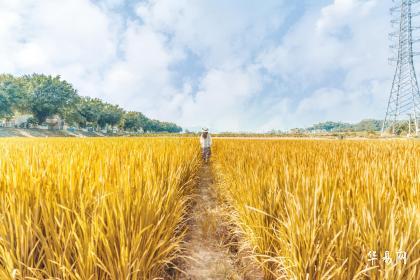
x: 307, y: 209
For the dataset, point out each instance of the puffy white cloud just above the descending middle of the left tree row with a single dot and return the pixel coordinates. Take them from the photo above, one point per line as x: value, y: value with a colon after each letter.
x: 142, y: 76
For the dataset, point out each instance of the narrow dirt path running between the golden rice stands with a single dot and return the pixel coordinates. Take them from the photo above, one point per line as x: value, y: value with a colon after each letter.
x: 207, y: 258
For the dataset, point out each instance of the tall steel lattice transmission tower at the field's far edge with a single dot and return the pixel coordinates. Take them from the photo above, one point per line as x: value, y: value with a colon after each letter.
x: 404, y: 100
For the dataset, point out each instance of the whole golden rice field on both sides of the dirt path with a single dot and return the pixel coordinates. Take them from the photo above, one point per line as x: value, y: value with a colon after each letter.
x: 117, y: 208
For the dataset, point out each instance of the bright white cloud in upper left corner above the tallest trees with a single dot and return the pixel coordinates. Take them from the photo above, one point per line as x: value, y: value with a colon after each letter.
x: 72, y: 38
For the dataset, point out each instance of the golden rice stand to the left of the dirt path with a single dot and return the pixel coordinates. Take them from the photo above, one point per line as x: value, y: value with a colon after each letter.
x: 93, y: 208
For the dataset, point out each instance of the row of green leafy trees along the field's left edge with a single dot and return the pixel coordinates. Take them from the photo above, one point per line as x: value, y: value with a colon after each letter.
x: 45, y: 96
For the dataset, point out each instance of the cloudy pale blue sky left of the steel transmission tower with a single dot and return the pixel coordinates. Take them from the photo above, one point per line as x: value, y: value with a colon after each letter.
x: 239, y: 65
